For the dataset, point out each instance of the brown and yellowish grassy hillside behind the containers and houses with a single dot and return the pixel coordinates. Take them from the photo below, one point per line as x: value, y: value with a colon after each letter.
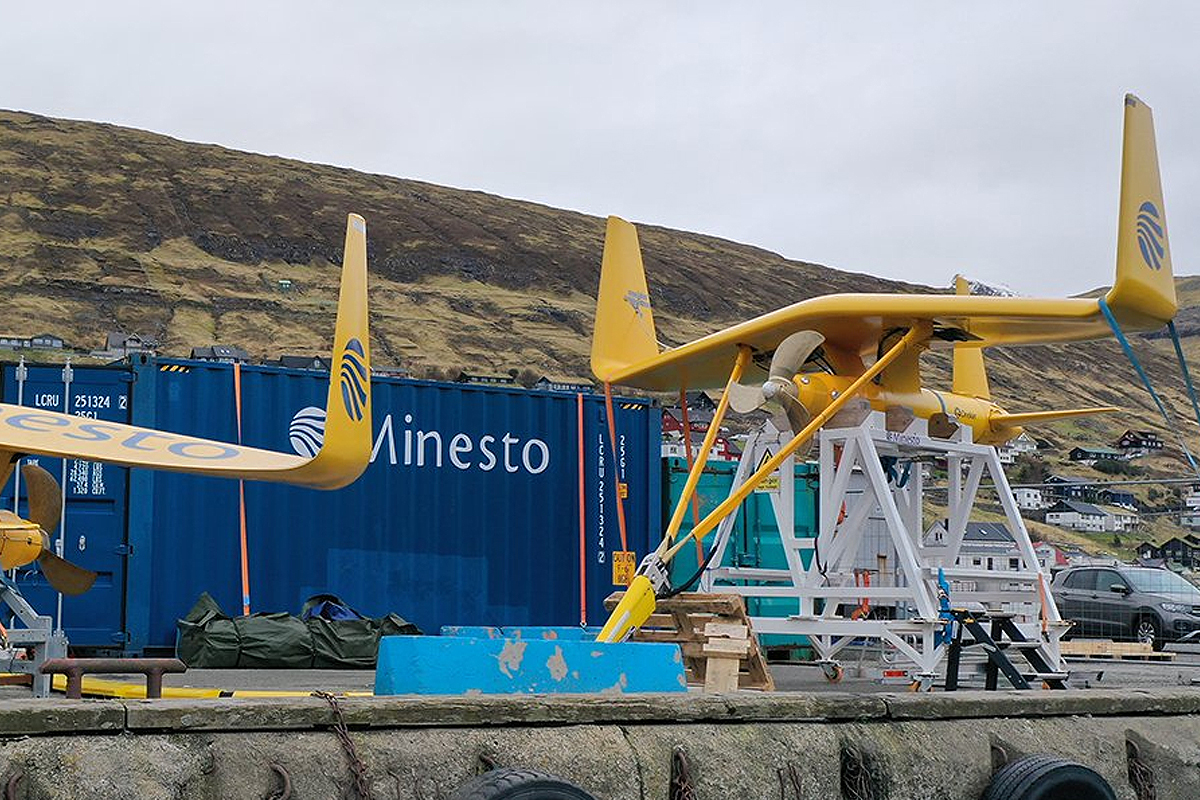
x: 107, y: 230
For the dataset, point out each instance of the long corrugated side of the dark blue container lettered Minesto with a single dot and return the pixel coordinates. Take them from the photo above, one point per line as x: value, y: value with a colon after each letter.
x: 469, y: 514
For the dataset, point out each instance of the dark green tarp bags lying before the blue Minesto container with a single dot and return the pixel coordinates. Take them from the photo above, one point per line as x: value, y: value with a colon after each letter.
x: 333, y: 637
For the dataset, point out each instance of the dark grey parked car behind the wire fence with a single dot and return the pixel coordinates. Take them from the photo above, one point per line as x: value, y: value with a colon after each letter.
x: 1127, y: 603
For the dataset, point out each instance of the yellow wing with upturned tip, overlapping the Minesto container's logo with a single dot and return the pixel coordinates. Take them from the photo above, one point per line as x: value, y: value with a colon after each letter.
x: 341, y: 460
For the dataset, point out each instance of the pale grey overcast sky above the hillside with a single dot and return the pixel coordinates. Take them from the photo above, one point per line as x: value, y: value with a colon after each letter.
x: 905, y: 140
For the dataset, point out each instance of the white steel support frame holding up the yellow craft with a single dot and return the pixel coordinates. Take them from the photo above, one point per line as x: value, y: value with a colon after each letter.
x: 829, y: 591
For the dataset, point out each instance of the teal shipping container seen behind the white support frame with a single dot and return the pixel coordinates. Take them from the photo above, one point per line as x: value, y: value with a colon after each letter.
x: 755, y: 539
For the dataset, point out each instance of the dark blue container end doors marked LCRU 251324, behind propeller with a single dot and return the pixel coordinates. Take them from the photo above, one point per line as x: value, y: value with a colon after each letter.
x: 93, y: 528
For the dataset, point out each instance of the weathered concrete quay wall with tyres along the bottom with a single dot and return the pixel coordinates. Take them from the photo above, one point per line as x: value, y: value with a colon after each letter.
x: 620, y: 748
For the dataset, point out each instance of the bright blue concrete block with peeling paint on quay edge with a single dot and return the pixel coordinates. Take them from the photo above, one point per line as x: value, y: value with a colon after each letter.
x: 442, y: 665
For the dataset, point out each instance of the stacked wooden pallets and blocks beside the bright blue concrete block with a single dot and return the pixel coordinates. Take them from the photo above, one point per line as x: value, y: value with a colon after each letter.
x: 701, y: 625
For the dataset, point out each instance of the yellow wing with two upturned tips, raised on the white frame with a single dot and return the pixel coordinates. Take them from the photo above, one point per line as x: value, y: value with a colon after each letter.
x: 1143, y: 298
